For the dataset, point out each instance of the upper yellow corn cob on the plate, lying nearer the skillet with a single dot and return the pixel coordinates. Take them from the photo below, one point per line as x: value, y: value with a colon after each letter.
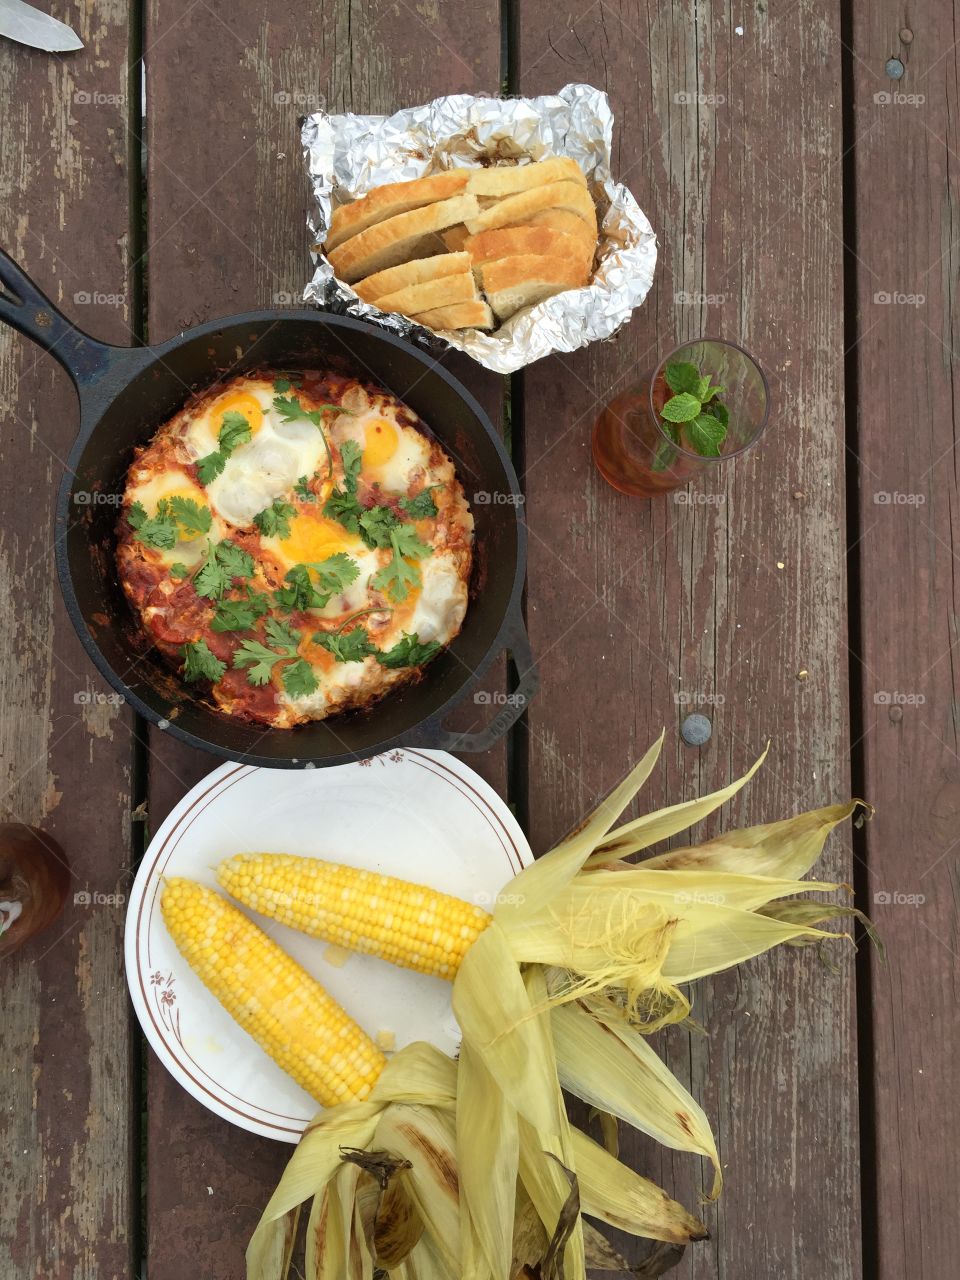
x: 409, y: 925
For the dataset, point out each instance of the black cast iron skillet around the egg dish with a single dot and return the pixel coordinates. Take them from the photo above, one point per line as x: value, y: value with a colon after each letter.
x: 126, y: 394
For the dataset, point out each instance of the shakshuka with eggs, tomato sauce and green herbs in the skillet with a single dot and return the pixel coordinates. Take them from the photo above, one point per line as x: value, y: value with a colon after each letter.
x: 296, y: 545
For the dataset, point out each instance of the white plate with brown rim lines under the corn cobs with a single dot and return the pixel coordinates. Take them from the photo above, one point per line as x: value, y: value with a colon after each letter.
x: 418, y: 815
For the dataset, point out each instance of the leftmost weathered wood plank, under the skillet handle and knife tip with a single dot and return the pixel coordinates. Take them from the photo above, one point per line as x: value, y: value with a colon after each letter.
x: 67, y: 1201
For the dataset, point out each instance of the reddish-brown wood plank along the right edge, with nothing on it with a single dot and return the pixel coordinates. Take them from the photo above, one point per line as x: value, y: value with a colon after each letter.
x: 908, y: 377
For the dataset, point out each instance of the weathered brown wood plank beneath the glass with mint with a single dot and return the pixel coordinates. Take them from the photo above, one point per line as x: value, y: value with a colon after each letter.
x: 633, y: 604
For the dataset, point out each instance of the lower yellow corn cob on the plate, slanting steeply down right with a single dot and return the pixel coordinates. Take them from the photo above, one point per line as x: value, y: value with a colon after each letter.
x: 287, y: 1012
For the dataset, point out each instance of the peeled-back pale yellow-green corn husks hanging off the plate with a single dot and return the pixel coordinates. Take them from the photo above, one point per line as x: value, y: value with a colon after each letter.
x: 587, y: 956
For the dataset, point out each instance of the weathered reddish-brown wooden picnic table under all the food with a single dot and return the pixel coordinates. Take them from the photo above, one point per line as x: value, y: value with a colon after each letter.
x: 806, y: 204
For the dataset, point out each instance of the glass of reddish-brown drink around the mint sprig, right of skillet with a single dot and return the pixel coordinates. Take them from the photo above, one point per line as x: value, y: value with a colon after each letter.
x: 634, y: 452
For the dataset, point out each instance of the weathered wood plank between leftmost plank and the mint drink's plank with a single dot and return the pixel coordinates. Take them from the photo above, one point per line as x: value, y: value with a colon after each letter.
x: 227, y: 200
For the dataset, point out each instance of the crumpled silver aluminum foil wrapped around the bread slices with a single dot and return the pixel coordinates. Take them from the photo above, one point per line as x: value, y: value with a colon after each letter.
x: 349, y: 156
